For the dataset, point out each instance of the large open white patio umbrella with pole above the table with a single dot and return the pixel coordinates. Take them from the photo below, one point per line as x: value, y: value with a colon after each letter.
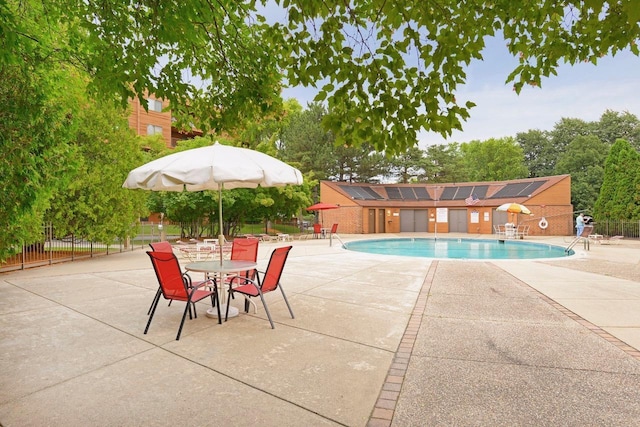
x: 213, y: 168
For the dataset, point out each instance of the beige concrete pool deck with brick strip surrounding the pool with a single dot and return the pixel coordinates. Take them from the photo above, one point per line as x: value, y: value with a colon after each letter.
x: 377, y: 341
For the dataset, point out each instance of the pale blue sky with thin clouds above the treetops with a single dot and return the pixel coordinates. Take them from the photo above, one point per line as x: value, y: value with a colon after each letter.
x: 584, y: 91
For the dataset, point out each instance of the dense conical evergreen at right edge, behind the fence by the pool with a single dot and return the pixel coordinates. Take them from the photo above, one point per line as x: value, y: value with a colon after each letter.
x: 618, y: 197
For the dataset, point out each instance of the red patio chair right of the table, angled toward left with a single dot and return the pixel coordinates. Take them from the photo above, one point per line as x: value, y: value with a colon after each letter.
x: 270, y: 282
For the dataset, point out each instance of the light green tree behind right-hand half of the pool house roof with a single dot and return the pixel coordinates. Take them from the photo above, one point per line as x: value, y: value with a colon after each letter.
x: 493, y: 160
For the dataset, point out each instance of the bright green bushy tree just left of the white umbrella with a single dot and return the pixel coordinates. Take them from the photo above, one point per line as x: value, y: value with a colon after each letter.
x: 93, y: 204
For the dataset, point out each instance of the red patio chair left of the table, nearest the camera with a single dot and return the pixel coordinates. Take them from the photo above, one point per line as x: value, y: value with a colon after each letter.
x: 174, y: 285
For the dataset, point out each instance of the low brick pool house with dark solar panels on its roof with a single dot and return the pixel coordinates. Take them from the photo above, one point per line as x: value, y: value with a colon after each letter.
x: 468, y: 207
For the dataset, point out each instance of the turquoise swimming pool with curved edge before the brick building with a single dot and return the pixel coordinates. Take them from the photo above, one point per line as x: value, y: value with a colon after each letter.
x: 459, y: 248
